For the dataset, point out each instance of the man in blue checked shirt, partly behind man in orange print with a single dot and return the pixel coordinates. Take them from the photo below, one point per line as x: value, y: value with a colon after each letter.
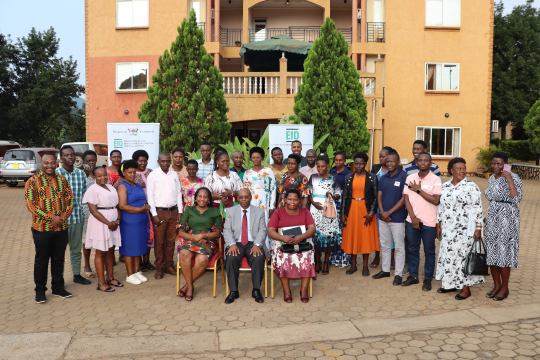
x: 77, y: 181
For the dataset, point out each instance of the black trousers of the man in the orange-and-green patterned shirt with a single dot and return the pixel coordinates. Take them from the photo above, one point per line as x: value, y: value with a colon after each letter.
x: 49, y: 245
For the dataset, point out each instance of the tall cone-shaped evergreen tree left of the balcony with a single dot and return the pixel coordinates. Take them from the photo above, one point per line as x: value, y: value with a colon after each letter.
x: 186, y: 96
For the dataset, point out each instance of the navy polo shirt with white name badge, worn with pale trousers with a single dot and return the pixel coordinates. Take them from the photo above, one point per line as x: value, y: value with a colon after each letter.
x: 392, y: 191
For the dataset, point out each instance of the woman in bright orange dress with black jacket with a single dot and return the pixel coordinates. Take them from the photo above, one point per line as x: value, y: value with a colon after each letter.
x: 359, y: 205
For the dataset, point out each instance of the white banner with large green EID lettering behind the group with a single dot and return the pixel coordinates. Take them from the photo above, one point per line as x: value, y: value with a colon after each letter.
x: 283, y: 135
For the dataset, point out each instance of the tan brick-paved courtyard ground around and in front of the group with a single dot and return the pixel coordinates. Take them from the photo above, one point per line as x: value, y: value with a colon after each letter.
x: 154, y: 309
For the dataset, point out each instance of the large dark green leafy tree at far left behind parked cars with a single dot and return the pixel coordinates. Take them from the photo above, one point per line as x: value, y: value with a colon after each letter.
x: 37, y: 90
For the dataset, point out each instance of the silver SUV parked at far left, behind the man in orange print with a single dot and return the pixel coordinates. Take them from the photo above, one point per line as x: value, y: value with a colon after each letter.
x: 19, y: 165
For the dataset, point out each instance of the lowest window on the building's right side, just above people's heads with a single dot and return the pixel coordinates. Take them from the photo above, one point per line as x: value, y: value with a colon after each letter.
x: 442, y: 141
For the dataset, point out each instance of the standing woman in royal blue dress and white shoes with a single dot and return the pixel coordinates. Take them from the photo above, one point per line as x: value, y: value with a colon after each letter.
x: 134, y: 221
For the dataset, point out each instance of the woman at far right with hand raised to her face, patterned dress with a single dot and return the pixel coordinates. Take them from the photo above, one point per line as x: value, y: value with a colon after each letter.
x: 504, y: 192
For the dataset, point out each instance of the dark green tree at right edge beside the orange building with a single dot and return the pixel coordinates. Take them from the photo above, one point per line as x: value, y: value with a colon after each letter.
x: 516, y: 59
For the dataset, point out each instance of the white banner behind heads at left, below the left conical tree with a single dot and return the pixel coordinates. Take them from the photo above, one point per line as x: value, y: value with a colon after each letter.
x: 130, y: 137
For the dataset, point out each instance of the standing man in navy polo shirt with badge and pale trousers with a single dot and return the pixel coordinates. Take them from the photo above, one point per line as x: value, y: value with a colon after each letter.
x: 392, y: 217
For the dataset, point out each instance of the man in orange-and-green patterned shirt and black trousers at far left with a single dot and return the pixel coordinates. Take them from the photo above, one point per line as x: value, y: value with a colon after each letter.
x: 50, y: 200
